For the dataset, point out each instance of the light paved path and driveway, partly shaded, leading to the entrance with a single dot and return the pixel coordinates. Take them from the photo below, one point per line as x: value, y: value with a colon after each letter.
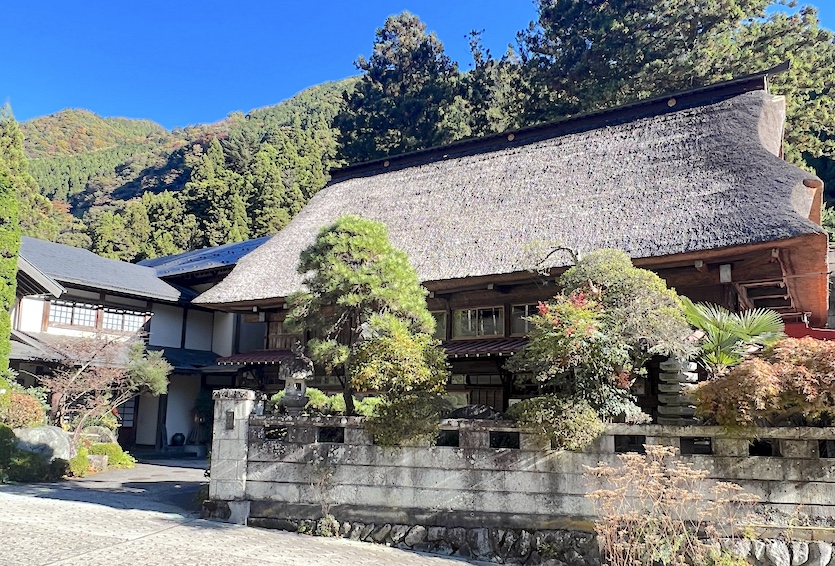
x: 146, y: 516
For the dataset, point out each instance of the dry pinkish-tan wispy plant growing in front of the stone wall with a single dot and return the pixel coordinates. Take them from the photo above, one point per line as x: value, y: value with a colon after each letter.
x: 655, y: 509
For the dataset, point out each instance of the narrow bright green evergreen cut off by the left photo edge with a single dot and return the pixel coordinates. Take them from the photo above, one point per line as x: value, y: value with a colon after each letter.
x: 13, y: 180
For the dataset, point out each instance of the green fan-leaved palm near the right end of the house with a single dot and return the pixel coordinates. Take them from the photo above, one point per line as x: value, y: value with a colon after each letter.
x: 728, y: 337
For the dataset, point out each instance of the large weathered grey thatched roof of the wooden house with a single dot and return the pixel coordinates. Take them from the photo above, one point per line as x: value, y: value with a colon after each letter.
x: 700, y: 178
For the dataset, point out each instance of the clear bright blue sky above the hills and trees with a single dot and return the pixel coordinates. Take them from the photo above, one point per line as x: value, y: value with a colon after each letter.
x: 187, y: 62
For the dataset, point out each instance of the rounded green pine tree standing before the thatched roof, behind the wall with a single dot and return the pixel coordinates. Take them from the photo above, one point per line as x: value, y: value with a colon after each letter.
x: 364, y: 296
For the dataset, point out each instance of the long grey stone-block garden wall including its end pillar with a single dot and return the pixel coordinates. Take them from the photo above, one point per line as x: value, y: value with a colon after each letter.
x: 284, y: 472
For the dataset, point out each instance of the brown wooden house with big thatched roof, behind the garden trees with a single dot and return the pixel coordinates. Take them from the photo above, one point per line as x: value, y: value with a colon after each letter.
x: 691, y: 185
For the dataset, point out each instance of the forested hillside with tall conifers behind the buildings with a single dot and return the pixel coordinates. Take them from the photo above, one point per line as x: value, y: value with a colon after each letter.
x: 136, y: 190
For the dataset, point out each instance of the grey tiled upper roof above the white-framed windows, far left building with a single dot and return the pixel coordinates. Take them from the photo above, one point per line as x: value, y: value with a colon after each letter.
x: 74, y: 266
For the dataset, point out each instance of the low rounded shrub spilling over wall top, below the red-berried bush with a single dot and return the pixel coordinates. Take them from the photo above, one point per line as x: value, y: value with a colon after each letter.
x: 569, y: 423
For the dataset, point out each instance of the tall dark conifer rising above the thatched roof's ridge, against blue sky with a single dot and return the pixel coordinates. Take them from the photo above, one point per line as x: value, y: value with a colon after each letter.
x: 400, y: 103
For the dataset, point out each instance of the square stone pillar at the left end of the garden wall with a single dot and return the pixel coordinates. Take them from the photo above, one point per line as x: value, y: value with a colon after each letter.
x: 229, y: 450
